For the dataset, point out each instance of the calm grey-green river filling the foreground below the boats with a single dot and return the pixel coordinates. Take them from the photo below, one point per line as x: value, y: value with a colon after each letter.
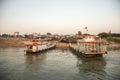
x: 57, y: 64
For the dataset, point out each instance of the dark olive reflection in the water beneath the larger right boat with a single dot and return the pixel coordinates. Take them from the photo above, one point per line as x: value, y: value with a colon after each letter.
x: 91, y: 64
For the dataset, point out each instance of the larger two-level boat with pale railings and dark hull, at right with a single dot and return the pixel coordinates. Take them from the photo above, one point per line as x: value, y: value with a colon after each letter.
x: 89, y: 46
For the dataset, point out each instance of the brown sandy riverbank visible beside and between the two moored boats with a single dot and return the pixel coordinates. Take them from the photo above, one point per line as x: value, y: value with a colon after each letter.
x: 19, y: 42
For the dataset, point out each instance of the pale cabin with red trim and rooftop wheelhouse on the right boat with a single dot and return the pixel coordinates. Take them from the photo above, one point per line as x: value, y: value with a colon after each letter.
x: 89, y: 45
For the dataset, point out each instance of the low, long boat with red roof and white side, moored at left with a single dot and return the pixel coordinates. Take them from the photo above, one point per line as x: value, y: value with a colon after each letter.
x: 36, y: 46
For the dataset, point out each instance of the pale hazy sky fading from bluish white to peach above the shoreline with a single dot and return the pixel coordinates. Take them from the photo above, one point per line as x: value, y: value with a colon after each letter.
x: 59, y: 16
